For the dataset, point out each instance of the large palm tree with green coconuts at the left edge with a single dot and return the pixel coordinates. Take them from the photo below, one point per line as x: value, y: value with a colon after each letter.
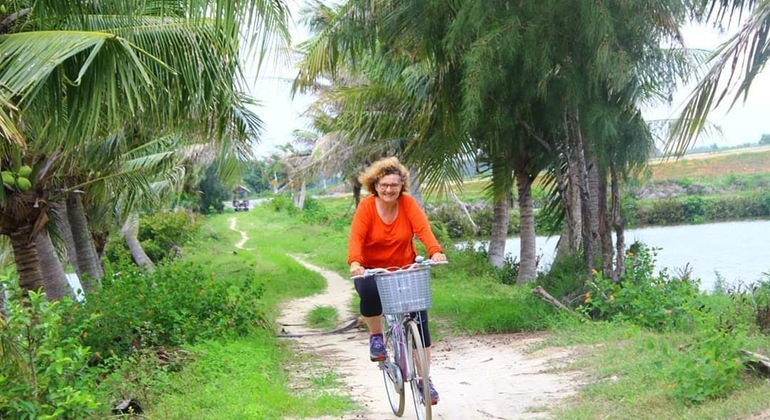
x: 102, y: 65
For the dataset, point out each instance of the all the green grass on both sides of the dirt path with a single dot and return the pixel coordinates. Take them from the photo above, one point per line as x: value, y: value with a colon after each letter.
x: 623, y: 365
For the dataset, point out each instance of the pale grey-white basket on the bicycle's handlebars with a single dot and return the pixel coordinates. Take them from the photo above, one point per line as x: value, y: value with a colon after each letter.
x: 404, y: 290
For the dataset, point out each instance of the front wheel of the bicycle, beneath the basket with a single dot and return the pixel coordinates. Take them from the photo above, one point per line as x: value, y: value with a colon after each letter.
x: 419, y: 371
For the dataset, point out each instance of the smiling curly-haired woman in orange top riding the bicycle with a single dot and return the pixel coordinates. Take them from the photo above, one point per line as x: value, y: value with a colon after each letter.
x: 381, y: 235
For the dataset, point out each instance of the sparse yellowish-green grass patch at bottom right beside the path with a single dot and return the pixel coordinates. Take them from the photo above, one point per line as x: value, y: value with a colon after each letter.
x: 625, y: 370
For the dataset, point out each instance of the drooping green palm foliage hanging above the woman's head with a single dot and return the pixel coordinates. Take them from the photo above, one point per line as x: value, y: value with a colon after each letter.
x: 391, y: 98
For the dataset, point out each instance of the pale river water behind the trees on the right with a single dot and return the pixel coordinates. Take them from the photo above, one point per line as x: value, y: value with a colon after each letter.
x: 738, y: 251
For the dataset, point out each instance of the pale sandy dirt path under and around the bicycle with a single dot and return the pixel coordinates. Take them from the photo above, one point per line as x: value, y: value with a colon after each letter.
x: 480, y: 377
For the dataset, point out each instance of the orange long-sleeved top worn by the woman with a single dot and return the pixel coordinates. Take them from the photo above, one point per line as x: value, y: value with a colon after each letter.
x: 375, y: 244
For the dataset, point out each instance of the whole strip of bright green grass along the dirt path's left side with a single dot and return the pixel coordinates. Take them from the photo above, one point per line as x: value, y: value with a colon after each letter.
x: 246, y: 378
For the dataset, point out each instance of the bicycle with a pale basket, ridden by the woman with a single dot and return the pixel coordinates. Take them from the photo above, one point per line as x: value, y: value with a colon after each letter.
x: 404, y: 292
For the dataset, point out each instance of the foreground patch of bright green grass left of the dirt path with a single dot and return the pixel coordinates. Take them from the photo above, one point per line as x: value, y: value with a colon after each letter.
x: 245, y: 379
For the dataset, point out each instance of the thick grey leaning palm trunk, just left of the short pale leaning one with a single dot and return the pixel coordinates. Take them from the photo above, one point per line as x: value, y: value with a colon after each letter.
x: 88, y: 259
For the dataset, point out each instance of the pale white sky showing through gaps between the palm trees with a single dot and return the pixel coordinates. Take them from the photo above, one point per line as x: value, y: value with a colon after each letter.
x: 744, y: 123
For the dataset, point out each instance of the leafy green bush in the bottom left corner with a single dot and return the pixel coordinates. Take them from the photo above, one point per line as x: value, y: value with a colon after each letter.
x: 44, y: 371
